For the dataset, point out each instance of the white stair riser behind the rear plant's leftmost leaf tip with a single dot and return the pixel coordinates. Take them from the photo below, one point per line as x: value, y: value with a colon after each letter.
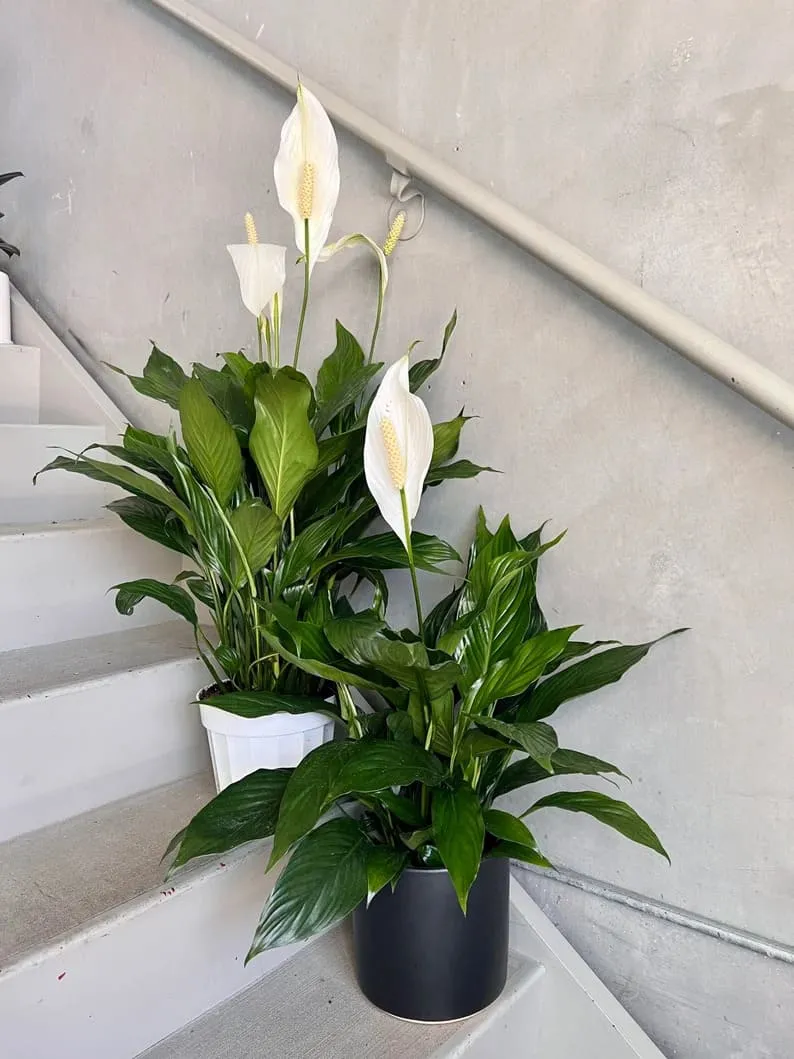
x: 25, y: 450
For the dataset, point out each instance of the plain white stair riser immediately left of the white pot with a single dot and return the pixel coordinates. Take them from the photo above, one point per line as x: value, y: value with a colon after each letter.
x: 80, y: 748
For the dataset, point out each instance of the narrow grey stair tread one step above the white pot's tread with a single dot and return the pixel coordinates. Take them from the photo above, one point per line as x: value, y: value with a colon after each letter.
x: 33, y: 671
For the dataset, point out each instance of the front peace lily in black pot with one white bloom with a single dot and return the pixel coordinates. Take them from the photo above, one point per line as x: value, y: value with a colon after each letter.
x: 420, y: 851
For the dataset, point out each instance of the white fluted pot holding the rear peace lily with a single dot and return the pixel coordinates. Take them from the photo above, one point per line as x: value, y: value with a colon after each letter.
x: 242, y: 745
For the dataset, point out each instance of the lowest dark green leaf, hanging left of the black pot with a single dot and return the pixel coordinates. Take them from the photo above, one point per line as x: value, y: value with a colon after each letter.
x: 323, y: 883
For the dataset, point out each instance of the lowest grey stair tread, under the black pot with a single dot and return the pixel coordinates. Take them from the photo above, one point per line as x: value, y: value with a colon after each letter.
x: 313, y: 1007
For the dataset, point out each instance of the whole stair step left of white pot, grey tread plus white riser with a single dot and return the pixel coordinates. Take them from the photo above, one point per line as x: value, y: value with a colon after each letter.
x: 88, y: 722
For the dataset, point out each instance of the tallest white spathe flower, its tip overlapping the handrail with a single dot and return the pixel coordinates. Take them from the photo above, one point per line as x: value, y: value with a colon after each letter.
x: 306, y: 172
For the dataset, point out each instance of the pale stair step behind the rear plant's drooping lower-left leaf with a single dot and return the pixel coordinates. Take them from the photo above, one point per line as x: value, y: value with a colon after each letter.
x: 57, y: 578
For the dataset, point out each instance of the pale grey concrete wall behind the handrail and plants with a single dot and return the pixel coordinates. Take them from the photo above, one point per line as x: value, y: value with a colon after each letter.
x: 658, y: 137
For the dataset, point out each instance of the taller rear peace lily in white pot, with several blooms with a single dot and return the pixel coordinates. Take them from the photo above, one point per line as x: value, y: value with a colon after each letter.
x: 264, y: 491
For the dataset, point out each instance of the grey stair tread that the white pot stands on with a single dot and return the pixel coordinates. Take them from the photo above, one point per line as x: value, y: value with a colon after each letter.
x: 58, y: 878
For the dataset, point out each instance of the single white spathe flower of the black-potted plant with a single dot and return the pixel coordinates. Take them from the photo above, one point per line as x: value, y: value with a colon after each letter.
x: 399, y: 448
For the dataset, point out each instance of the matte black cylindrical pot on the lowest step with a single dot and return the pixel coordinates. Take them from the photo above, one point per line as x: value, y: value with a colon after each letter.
x: 420, y: 958
